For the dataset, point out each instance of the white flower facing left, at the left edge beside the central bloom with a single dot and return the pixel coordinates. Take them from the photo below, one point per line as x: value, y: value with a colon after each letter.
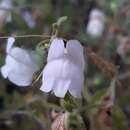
x: 20, y: 65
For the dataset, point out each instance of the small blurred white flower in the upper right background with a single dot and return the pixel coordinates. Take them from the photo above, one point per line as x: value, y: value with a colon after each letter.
x: 95, y: 25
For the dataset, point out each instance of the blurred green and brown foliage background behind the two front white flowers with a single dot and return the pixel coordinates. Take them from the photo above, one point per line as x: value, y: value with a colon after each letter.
x: 103, y: 26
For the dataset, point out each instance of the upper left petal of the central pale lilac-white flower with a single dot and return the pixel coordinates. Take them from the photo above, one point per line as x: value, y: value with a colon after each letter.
x: 56, y: 49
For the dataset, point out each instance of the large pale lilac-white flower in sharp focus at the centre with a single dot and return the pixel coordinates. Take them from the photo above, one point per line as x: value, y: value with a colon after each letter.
x: 65, y: 68
